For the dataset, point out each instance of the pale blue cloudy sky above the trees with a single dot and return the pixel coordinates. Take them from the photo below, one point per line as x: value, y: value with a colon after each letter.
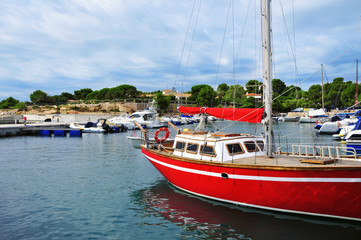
x: 63, y: 46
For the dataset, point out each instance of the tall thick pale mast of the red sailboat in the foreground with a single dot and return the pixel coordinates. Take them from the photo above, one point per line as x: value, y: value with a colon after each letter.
x: 267, y: 74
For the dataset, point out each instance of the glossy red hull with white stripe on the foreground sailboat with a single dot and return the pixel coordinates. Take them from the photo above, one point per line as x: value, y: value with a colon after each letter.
x: 330, y: 193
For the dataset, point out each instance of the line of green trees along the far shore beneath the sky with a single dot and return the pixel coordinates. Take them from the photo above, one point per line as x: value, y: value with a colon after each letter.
x: 337, y: 94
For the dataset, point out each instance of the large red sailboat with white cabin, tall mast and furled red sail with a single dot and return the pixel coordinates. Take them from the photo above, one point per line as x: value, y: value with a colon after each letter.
x: 243, y: 169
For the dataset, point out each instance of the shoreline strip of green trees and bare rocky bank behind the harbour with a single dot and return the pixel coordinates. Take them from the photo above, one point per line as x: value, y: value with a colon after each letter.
x: 126, y: 98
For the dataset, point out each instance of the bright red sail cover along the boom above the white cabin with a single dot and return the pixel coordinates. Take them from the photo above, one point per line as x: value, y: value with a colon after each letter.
x: 252, y: 115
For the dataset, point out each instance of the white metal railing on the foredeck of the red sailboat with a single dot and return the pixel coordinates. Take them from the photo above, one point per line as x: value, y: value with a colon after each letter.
x: 339, y: 152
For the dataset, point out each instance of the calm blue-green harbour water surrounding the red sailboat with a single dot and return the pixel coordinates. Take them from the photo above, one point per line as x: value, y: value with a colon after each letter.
x: 100, y: 187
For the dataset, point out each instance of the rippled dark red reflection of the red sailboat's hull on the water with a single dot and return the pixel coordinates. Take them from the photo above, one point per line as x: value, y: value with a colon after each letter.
x: 200, y: 218
